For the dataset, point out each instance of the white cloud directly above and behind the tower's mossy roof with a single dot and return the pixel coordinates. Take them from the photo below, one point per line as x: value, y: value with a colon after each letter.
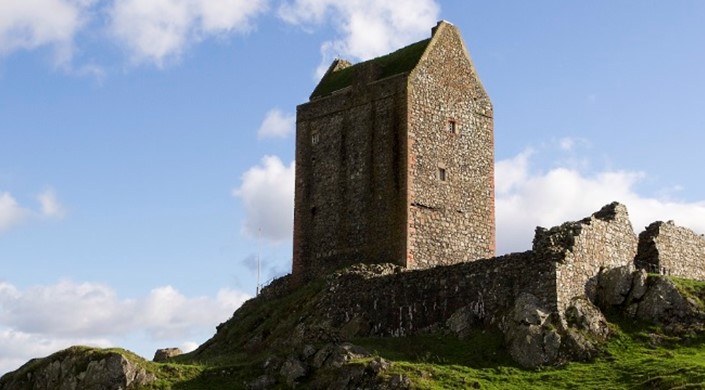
x: 369, y: 28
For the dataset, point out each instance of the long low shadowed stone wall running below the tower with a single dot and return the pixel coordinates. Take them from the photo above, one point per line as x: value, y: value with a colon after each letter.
x: 416, y: 301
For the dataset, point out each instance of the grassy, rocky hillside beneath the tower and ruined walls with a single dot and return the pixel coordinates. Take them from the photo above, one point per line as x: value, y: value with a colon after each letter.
x: 636, y: 355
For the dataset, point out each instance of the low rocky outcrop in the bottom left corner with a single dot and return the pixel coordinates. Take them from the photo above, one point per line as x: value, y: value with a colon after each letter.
x: 79, y: 368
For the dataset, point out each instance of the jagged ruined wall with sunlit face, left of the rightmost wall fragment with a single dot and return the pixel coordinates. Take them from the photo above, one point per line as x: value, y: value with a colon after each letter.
x: 581, y: 249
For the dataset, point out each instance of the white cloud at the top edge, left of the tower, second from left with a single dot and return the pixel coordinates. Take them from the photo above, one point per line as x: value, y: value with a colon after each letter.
x: 157, y: 30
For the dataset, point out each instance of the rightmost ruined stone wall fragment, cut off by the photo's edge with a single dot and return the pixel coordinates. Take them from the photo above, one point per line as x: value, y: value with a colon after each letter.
x: 671, y: 250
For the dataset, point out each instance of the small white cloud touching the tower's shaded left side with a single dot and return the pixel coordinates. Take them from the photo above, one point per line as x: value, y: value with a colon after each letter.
x: 267, y: 192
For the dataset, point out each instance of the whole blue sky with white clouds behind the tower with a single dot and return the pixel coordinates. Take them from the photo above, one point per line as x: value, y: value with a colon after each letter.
x: 146, y: 146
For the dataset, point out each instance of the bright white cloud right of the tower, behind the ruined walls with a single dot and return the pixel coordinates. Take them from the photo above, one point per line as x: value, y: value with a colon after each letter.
x: 526, y: 199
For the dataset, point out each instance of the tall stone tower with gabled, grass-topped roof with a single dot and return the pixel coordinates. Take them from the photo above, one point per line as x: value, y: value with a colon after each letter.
x: 395, y: 162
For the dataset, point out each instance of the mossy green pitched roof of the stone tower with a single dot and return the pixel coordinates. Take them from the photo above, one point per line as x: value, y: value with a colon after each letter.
x: 400, y: 61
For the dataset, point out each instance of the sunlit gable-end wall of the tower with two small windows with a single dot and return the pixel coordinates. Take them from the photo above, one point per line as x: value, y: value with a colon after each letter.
x: 451, y: 219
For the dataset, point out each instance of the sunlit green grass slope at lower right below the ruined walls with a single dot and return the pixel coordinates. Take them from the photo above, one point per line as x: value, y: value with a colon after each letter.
x: 632, y: 361
